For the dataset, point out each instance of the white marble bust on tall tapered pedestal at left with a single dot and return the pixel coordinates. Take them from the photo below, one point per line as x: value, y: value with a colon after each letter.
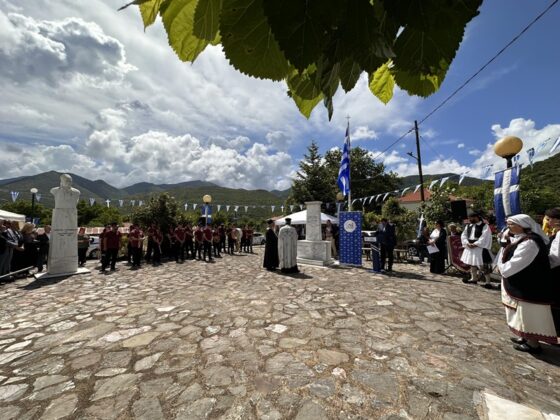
x: 63, y: 243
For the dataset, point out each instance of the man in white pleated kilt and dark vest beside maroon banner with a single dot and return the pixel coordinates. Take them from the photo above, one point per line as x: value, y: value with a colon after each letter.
x: 477, y: 240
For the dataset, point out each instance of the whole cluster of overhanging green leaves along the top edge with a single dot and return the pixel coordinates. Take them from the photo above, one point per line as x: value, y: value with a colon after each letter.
x: 317, y: 46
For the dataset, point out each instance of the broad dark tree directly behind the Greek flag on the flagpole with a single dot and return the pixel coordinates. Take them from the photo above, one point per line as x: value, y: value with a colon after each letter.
x: 367, y: 177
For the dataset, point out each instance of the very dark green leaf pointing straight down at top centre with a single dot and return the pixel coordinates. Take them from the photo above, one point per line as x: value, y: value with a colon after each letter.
x: 302, y: 28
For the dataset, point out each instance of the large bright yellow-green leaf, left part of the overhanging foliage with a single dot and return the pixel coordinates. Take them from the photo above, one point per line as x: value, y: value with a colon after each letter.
x: 178, y: 20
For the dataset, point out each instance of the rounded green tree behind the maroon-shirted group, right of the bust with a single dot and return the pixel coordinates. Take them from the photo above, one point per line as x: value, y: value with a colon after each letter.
x: 162, y: 210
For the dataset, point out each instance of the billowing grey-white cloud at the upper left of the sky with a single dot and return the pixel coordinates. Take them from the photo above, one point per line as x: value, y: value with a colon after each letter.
x: 58, y: 51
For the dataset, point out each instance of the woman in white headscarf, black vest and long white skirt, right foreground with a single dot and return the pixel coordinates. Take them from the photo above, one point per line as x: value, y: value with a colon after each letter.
x: 530, y: 293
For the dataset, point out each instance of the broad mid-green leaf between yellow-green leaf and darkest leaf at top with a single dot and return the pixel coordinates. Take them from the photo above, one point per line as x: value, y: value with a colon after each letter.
x: 248, y: 41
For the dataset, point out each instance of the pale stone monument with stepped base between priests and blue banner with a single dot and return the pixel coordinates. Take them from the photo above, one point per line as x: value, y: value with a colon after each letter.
x: 313, y: 250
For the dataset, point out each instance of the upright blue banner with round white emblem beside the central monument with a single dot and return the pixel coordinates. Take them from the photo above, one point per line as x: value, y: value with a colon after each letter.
x: 350, y: 233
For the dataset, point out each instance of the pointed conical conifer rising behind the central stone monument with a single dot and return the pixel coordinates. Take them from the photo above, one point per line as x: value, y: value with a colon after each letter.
x: 312, y: 182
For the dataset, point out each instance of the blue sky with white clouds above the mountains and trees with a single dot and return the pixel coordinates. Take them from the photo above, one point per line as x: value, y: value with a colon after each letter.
x: 86, y: 90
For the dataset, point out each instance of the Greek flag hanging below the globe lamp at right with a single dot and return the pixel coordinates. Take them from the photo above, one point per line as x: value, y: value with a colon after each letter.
x: 507, y: 200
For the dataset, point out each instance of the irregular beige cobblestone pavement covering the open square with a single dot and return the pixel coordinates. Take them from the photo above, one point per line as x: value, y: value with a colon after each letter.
x: 231, y: 340
